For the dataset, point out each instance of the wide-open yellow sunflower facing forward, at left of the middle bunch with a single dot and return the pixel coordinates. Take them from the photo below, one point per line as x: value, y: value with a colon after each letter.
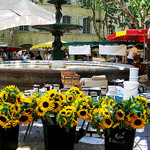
x: 46, y: 105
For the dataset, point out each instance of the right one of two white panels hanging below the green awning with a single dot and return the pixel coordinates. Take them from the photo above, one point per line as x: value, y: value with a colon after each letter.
x: 112, y: 50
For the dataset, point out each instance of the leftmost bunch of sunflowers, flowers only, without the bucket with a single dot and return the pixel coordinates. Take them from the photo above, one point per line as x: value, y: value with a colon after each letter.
x: 15, y: 109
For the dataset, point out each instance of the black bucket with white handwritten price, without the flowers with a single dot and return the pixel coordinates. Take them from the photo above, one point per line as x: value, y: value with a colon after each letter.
x: 119, y: 139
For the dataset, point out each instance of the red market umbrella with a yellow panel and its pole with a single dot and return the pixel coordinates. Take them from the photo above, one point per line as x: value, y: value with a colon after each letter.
x: 138, y: 35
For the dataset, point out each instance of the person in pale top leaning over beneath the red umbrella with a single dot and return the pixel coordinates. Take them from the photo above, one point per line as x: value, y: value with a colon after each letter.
x: 132, y: 54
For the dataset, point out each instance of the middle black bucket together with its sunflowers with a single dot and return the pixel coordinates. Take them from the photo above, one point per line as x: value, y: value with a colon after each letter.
x: 60, y: 115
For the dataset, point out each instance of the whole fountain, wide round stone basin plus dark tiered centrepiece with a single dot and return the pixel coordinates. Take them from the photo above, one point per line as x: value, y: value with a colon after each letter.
x: 25, y: 74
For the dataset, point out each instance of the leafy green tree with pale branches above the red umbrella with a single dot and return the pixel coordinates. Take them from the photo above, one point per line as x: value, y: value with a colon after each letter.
x: 129, y: 14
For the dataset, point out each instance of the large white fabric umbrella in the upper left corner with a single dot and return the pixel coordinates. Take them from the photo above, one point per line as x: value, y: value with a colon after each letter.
x: 15, y: 13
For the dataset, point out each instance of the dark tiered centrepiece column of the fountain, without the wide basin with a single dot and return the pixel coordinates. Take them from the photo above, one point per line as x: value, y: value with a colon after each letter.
x: 57, y: 30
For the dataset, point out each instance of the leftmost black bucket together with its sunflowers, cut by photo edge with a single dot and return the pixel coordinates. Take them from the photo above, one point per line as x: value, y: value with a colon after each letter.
x: 15, y: 109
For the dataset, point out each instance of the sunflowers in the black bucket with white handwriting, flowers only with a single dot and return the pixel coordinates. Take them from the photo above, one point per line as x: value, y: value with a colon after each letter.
x: 128, y: 114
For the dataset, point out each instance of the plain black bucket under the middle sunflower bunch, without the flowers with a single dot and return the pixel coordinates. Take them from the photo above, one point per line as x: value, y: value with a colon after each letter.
x: 57, y: 138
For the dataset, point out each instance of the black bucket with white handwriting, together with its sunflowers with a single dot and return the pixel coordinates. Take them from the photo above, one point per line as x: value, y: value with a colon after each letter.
x: 119, y: 120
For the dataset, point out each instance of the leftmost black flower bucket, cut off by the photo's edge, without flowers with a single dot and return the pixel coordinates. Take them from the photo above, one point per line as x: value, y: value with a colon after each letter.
x: 9, y: 138
